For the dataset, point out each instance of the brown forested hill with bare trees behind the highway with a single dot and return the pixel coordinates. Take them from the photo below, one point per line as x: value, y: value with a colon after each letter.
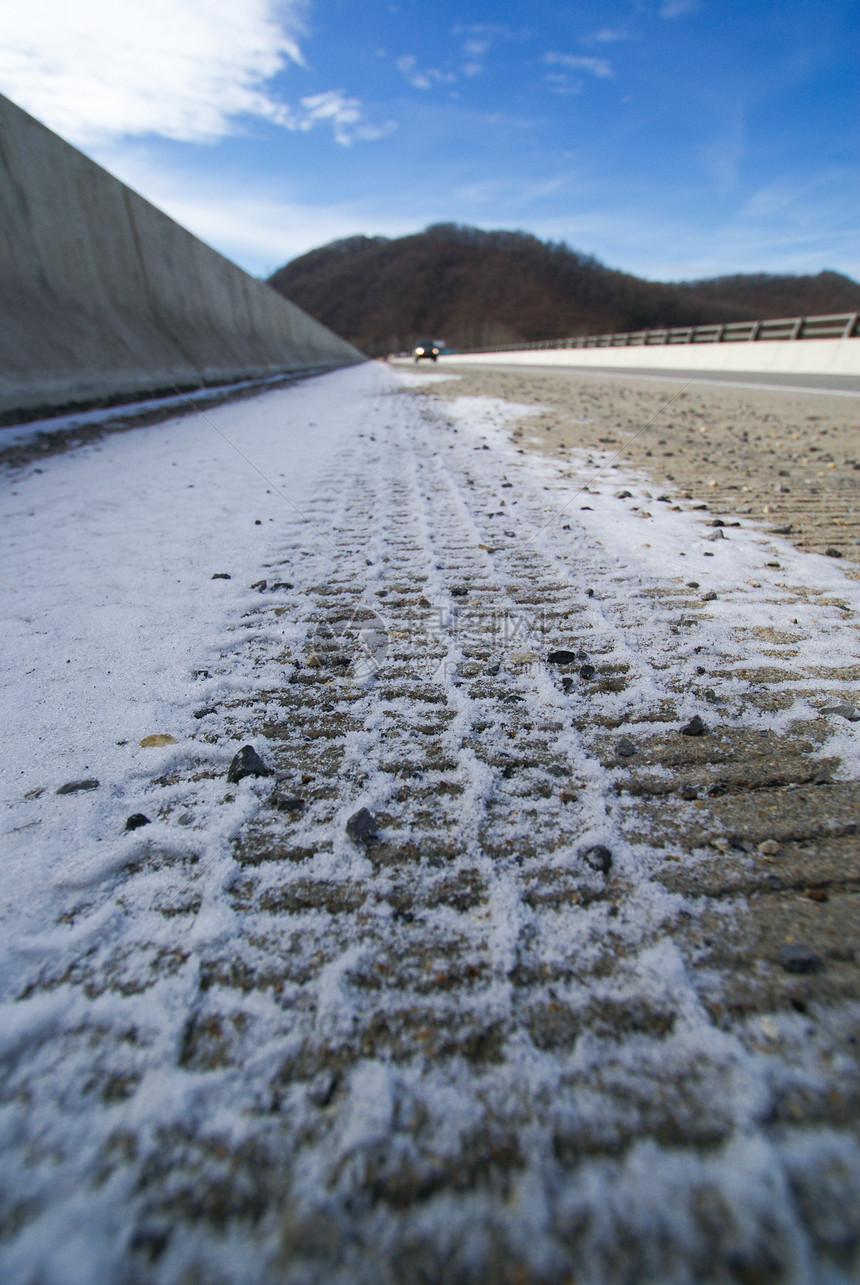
x: 475, y: 288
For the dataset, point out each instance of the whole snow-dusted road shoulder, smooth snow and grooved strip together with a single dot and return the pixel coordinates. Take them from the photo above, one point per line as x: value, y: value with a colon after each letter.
x: 586, y: 1003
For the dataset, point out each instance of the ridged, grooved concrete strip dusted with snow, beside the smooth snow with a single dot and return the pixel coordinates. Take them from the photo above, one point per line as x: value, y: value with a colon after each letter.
x: 498, y: 1043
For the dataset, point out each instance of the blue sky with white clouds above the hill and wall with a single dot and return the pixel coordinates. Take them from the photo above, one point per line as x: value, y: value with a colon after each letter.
x: 670, y: 138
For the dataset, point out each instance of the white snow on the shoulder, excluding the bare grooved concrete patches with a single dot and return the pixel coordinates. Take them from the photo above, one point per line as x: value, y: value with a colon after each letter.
x: 115, y: 630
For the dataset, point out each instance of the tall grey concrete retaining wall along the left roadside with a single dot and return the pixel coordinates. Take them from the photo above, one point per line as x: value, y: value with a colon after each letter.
x: 105, y: 297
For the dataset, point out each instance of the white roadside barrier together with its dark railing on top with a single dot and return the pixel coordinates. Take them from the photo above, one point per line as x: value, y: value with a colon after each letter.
x: 773, y: 345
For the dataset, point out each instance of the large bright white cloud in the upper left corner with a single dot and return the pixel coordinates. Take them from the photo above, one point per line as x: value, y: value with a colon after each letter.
x: 178, y: 69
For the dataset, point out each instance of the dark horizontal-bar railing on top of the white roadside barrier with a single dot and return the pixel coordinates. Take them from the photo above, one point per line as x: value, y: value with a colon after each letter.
x: 839, y: 326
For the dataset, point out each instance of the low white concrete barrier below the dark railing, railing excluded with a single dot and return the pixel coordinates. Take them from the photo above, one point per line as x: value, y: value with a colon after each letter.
x: 786, y: 357
